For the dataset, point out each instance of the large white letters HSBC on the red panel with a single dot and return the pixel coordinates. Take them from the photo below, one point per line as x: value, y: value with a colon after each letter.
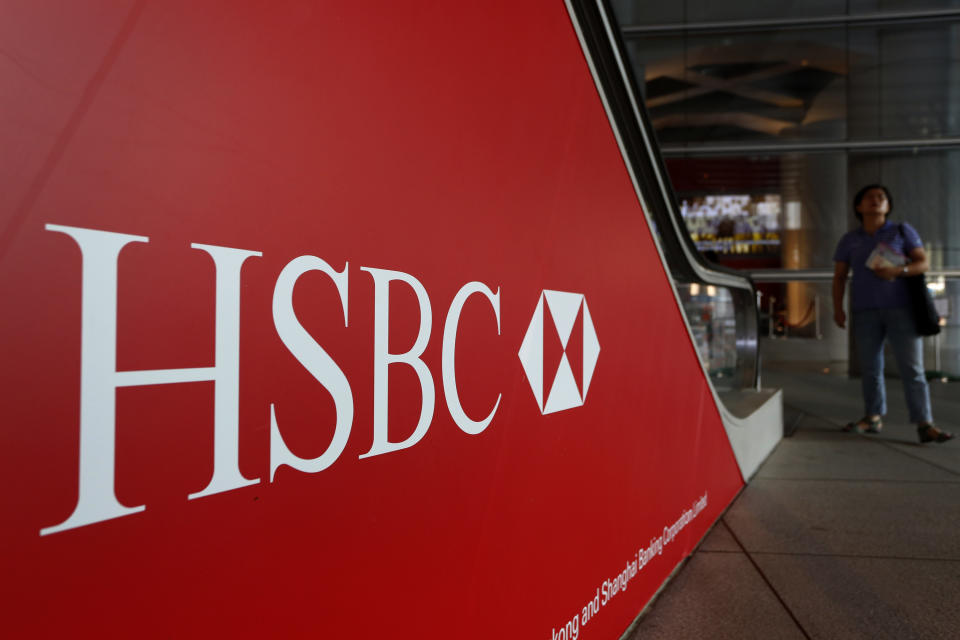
x: 99, y: 378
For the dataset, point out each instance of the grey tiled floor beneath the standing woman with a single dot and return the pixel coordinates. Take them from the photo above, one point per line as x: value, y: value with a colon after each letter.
x: 837, y: 536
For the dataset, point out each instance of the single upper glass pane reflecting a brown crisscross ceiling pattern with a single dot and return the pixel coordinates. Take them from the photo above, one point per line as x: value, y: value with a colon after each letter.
x: 745, y: 86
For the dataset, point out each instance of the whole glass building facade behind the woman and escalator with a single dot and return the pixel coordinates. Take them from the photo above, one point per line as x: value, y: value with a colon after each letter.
x: 770, y: 117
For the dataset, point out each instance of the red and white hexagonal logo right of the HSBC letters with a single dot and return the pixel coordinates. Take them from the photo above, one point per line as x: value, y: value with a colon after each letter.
x: 570, y: 344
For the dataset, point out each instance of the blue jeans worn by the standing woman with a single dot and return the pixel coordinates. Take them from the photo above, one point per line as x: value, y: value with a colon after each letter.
x: 872, y: 326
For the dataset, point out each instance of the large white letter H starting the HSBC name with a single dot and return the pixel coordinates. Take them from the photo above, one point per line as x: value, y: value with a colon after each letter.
x: 99, y: 378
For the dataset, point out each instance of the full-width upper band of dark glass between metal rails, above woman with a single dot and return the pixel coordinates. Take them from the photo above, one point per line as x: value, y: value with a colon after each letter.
x: 856, y: 82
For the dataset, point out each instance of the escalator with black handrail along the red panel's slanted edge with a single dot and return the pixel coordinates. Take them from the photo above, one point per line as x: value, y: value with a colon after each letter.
x: 719, y: 305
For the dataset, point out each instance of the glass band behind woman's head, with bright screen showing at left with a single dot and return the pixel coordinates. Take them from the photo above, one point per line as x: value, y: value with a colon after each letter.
x: 789, y: 211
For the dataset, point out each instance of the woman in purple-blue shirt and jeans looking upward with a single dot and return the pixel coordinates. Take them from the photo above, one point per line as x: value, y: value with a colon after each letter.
x: 882, y: 309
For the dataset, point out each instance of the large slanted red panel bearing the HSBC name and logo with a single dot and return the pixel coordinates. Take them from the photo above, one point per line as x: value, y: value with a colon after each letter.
x: 333, y: 320
